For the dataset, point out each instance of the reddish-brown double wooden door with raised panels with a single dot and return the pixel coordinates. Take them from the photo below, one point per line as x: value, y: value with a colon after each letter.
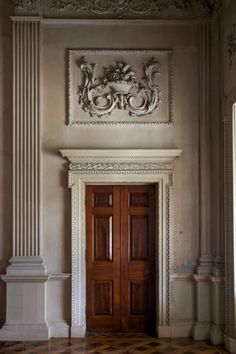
x: 120, y: 258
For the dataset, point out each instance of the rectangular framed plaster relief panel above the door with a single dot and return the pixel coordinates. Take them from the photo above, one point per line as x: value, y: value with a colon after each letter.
x: 120, y: 87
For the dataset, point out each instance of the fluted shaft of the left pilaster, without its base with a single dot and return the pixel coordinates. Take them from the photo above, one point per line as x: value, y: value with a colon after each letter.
x: 26, y: 139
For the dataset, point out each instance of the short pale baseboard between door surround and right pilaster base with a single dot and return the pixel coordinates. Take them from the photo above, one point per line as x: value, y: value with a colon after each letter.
x: 176, y: 330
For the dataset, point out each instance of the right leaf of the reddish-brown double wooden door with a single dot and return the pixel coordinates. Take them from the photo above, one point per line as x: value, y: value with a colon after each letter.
x: 138, y: 258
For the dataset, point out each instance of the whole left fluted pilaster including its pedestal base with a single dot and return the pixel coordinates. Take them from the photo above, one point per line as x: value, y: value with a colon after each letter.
x: 26, y: 276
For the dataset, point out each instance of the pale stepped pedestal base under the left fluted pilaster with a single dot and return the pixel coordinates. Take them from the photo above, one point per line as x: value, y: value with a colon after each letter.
x: 25, y: 302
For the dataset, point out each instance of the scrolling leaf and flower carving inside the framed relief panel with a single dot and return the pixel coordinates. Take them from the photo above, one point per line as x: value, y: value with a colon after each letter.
x: 119, y: 89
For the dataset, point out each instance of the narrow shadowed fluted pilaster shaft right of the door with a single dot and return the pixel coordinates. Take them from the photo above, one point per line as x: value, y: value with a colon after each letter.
x: 206, y: 257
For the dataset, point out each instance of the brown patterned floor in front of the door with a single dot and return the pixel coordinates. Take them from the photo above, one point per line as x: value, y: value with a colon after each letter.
x: 113, y: 344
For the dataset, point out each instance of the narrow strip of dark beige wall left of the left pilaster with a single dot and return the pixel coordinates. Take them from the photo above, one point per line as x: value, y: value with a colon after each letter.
x: 5, y: 145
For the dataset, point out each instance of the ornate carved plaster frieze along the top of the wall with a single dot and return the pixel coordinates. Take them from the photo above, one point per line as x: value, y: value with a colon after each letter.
x: 118, y: 8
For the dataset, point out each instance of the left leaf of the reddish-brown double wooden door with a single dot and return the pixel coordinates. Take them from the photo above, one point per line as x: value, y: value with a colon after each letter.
x: 103, y: 258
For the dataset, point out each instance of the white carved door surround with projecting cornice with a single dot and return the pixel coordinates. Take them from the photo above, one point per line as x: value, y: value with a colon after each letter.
x: 119, y: 167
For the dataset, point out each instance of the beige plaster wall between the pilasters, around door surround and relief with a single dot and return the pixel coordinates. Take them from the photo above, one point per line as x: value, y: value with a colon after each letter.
x: 183, y: 134
